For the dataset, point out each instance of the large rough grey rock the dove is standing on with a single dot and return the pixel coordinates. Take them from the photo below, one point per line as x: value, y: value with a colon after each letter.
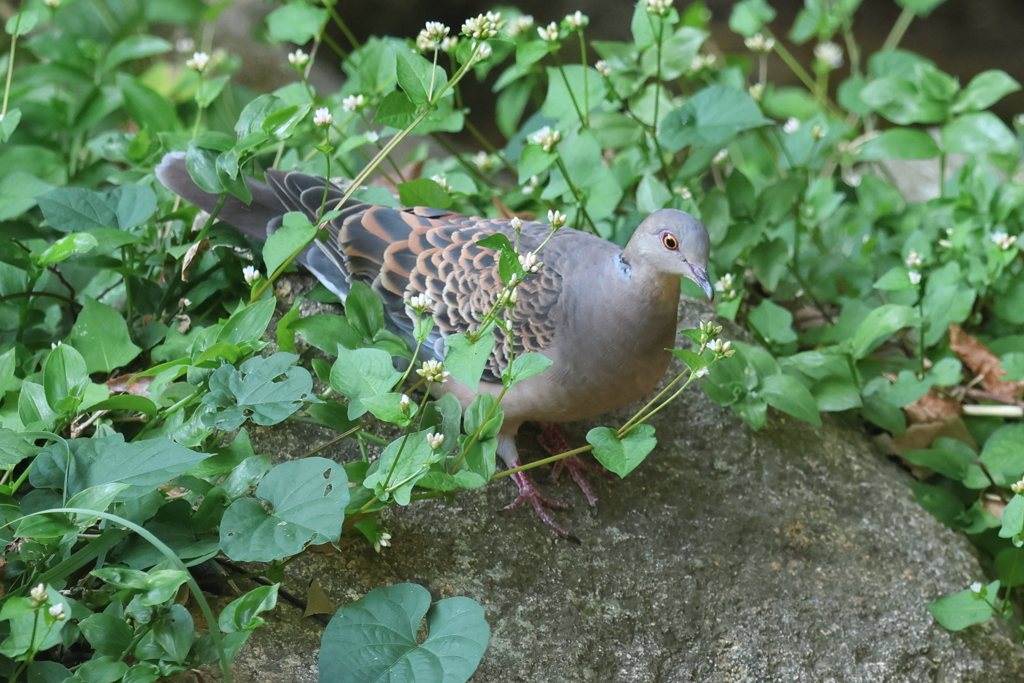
x: 790, y: 554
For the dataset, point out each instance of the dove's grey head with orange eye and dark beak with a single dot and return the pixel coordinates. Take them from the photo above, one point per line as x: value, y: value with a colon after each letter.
x: 675, y: 243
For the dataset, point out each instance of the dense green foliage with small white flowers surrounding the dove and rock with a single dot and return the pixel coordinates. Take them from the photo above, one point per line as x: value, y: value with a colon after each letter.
x: 132, y: 330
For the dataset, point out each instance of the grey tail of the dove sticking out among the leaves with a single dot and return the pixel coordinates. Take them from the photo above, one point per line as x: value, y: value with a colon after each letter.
x: 252, y: 219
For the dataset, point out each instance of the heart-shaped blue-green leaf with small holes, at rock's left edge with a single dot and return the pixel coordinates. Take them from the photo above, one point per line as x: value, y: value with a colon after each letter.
x: 305, y: 503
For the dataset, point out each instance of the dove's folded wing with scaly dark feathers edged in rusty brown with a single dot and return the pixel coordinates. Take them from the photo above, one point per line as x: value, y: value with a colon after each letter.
x: 405, y: 252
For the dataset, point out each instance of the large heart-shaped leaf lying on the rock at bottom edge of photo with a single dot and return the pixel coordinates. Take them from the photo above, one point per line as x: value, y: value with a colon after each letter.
x: 376, y: 638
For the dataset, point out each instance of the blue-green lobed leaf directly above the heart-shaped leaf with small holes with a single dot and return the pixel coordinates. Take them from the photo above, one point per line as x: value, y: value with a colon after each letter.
x: 265, y: 391
